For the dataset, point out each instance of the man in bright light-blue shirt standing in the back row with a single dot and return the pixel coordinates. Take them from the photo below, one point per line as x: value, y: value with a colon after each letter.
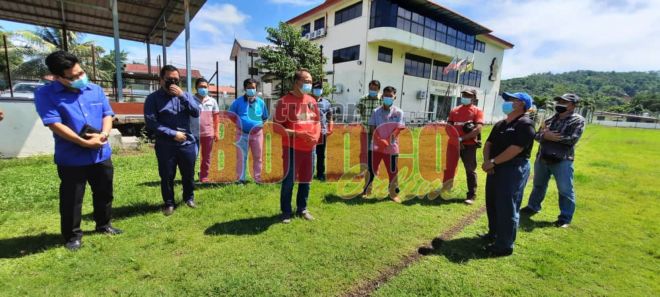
x: 252, y: 112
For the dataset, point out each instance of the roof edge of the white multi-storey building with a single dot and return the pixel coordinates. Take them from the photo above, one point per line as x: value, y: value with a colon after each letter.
x: 449, y: 16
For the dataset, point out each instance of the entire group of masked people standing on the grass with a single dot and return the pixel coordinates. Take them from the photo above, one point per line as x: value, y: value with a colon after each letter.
x: 185, y: 126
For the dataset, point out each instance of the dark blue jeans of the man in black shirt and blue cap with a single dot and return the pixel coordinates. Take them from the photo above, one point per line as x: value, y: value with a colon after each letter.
x: 504, y: 193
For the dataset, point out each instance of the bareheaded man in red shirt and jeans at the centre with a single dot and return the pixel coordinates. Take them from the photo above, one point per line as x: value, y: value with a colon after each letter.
x: 298, y: 113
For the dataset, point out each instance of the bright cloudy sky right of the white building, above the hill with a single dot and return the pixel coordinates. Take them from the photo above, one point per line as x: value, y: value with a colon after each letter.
x: 559, y: 36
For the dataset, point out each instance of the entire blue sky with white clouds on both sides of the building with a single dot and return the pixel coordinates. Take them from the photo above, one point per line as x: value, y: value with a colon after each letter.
x: 549, y: 35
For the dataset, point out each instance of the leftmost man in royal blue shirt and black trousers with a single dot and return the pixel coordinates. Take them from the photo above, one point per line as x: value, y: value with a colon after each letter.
x: 80, y: 117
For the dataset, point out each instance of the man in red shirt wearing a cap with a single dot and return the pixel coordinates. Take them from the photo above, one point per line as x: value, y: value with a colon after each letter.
x: 468, y: 120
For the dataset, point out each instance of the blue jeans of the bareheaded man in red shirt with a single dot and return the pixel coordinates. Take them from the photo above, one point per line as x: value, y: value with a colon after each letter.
x: 300, y: 165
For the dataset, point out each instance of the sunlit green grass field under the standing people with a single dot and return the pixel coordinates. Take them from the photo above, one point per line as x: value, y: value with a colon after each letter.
x: 234, y: 245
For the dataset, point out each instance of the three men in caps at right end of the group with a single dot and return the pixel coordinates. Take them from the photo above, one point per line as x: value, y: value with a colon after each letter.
x: 506, y: 154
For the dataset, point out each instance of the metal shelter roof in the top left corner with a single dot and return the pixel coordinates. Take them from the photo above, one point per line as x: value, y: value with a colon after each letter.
x: 139, y: 20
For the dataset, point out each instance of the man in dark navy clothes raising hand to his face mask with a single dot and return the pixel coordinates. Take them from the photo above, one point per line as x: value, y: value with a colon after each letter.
x: 167, y: 114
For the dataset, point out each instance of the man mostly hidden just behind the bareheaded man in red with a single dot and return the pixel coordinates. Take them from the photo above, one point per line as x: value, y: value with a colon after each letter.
x: 325, y: 111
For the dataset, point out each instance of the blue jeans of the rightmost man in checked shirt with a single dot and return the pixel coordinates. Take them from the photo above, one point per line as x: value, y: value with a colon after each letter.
x: 563, y: 173
